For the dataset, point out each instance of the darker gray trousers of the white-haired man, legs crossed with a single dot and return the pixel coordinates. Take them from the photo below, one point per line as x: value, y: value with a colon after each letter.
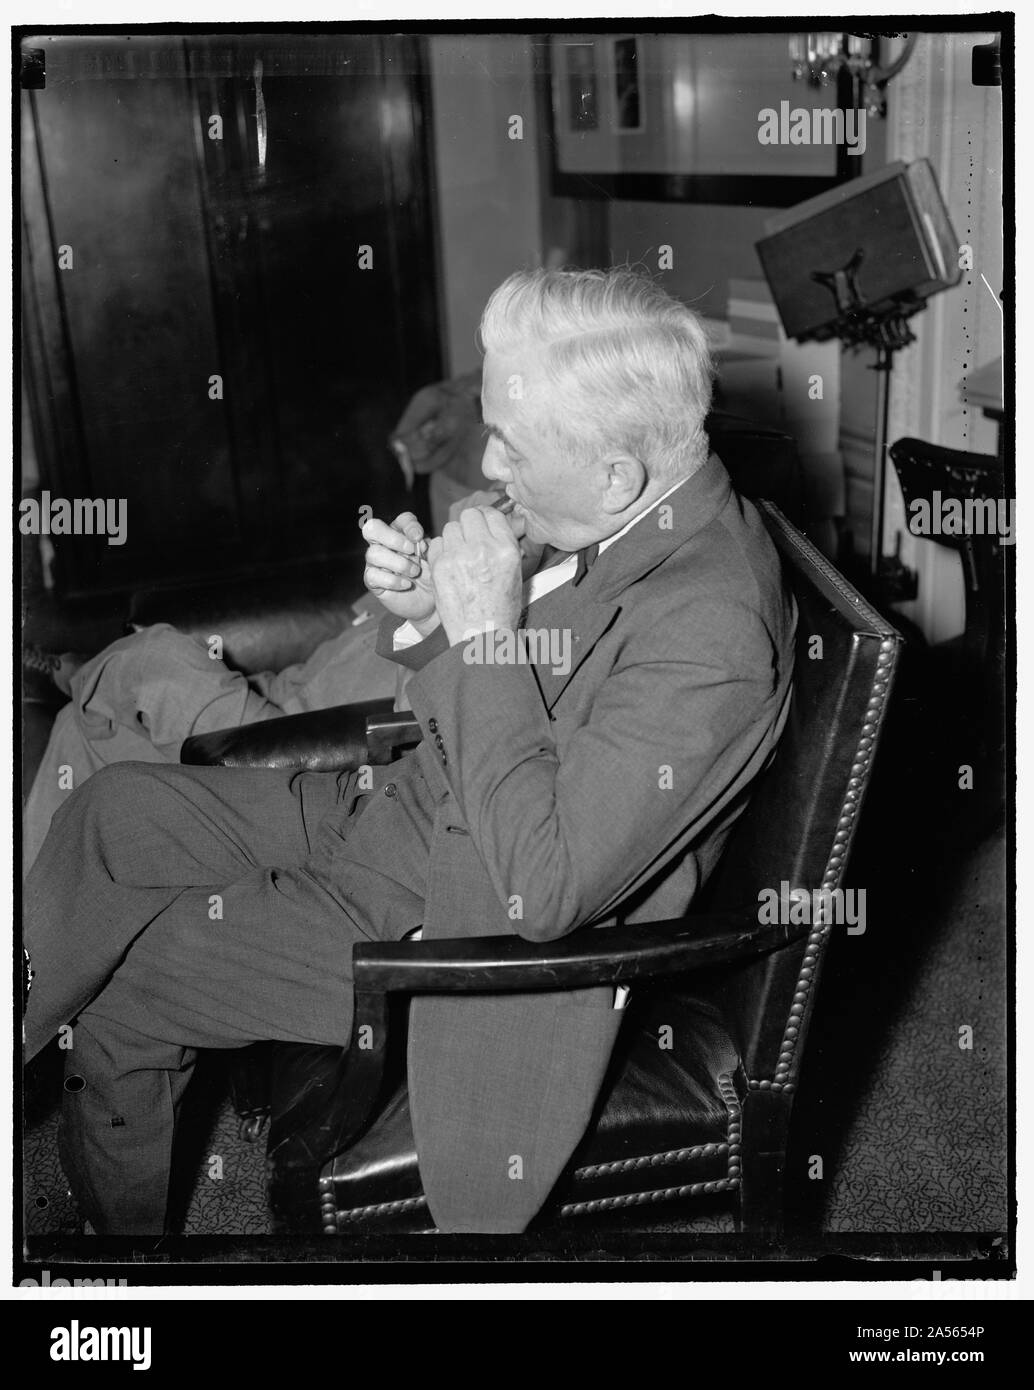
x: 181, y: 908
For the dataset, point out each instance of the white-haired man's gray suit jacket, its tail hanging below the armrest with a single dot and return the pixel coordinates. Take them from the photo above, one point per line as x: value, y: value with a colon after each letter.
x: 586, y: 799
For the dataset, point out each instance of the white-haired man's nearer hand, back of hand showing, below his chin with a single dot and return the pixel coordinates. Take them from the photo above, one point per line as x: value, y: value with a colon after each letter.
x: 476, y: 571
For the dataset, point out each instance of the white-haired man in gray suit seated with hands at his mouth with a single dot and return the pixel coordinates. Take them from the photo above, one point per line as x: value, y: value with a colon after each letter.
x: 179, y: 908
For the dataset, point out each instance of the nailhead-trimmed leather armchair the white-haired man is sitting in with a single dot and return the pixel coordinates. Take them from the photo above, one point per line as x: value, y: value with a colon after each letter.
x: 698, y: 1097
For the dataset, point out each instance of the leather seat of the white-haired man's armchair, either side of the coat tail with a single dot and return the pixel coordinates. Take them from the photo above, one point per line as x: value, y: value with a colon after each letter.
x: 668, y: 1118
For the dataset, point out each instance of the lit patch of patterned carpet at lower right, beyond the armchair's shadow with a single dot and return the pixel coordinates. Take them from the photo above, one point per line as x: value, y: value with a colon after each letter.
x: 928, y: 1145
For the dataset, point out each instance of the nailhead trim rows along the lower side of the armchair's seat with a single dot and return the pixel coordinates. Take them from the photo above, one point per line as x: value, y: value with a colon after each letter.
x: 334, y: 1220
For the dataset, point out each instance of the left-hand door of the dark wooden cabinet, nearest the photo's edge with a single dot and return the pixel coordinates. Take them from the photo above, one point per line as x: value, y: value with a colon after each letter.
x: 119, y: 315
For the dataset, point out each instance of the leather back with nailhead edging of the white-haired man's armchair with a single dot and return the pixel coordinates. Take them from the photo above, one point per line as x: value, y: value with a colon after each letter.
x: 800, y: 824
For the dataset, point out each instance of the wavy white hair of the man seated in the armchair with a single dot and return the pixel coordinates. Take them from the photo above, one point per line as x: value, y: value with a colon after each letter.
x: 633, y: 363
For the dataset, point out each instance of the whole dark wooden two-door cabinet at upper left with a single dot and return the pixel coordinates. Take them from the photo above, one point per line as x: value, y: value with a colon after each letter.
x: 234, y: 258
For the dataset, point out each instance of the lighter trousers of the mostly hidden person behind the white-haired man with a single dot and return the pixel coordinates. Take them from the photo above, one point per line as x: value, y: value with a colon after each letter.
x: 145, y: 694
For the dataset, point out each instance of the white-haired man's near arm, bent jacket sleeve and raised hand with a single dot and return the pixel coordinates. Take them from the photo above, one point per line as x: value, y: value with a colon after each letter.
x: 680, y: 723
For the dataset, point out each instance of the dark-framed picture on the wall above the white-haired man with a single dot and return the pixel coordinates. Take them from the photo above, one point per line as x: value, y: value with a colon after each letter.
x: 684, y: 117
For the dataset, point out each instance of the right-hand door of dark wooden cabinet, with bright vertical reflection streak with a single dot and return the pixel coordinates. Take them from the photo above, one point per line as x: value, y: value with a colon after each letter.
x: 325, y: 269
